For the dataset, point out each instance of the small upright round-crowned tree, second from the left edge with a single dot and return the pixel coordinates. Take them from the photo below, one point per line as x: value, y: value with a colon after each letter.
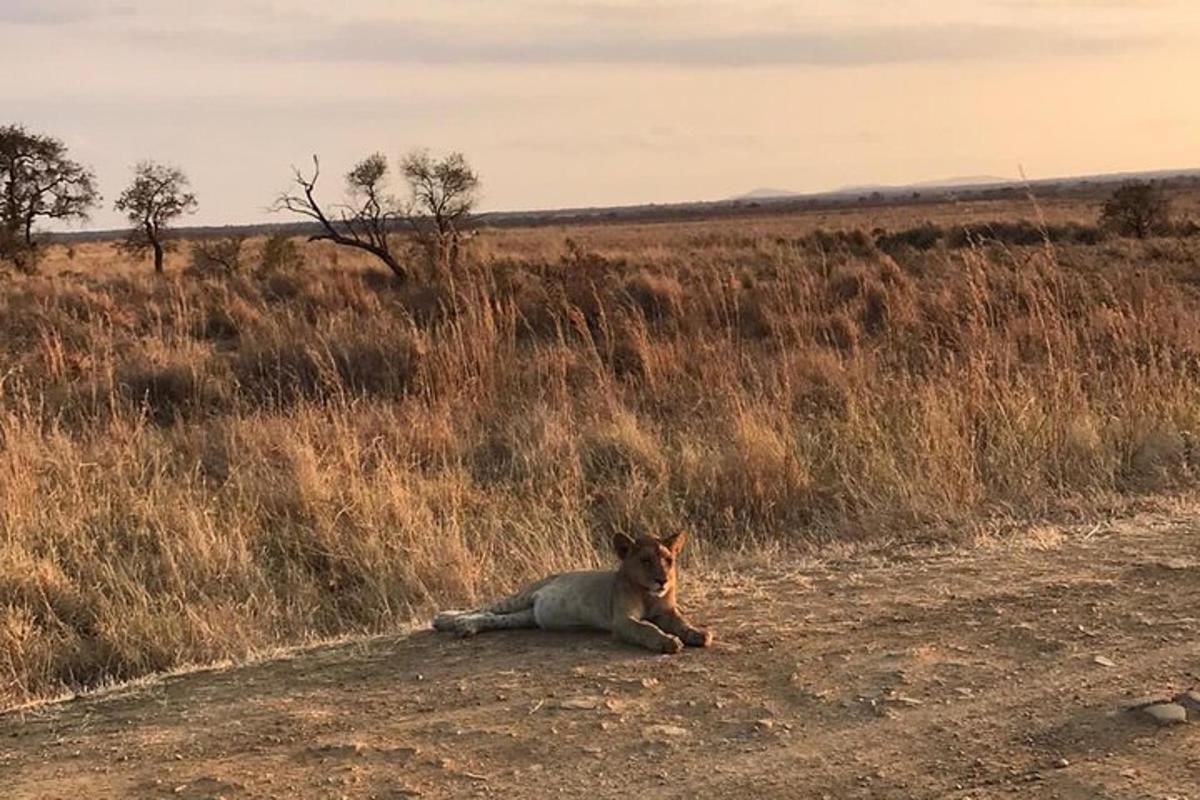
x: 154, y: 201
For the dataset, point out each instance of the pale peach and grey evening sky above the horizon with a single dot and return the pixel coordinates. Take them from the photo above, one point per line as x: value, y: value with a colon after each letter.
x: 573, y: 104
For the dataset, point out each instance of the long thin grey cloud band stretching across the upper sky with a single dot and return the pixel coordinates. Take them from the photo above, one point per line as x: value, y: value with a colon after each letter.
x: 435, y: 44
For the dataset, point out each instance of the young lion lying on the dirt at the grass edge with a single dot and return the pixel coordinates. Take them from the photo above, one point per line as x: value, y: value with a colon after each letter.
x: 637, y: 603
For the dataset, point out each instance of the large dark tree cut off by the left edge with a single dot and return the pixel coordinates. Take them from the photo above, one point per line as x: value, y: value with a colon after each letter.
x: 38, y: 182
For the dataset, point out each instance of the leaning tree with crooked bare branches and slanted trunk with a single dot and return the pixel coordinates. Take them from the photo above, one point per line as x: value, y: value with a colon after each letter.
x: 368, y: 222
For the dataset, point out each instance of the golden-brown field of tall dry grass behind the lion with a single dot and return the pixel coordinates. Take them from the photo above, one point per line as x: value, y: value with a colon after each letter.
x: 203, y: 466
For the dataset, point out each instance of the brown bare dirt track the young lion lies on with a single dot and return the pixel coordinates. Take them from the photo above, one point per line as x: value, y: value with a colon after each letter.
x: 986, y: 671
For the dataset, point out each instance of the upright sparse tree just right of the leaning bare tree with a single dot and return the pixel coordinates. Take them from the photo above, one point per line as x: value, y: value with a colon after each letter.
x: 445, y: 191
